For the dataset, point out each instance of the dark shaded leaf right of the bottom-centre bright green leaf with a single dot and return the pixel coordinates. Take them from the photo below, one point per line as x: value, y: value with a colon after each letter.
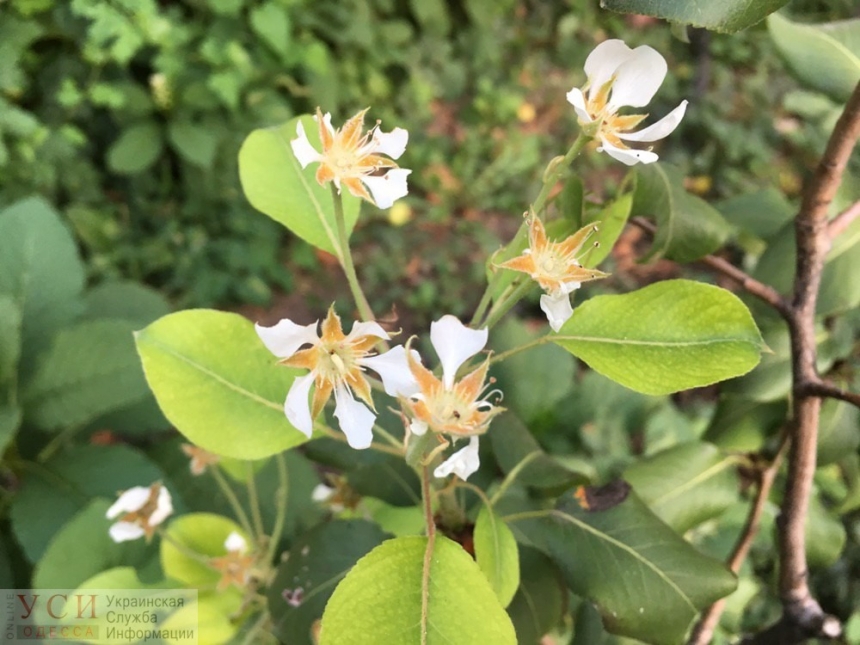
x: 541, y: 599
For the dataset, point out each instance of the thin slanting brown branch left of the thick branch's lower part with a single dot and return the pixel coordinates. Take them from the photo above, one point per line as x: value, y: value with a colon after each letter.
x: 704, y: 629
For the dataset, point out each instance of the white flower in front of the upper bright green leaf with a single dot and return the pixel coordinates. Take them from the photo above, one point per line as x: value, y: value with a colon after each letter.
x: 354, y: 160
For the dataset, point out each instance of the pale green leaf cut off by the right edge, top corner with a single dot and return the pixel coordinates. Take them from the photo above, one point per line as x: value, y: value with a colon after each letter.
x: 825, y: 57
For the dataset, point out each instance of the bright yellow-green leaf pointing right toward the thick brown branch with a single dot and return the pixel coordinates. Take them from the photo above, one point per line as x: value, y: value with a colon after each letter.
x: 670, y: 336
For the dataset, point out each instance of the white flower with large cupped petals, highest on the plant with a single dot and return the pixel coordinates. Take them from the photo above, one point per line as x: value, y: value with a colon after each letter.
x: 617, y: 77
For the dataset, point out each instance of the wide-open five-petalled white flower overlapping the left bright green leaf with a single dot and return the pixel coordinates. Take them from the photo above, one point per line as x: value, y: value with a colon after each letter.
x: 337, y: 362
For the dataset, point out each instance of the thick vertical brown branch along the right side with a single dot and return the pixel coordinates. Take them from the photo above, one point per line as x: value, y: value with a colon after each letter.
x: 802, y: 616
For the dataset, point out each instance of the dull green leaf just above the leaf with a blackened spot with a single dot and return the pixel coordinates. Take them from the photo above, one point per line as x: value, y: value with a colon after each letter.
x: 686, y: 485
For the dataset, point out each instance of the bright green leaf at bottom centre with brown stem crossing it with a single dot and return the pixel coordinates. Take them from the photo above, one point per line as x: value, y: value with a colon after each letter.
x: 380, y: 599
